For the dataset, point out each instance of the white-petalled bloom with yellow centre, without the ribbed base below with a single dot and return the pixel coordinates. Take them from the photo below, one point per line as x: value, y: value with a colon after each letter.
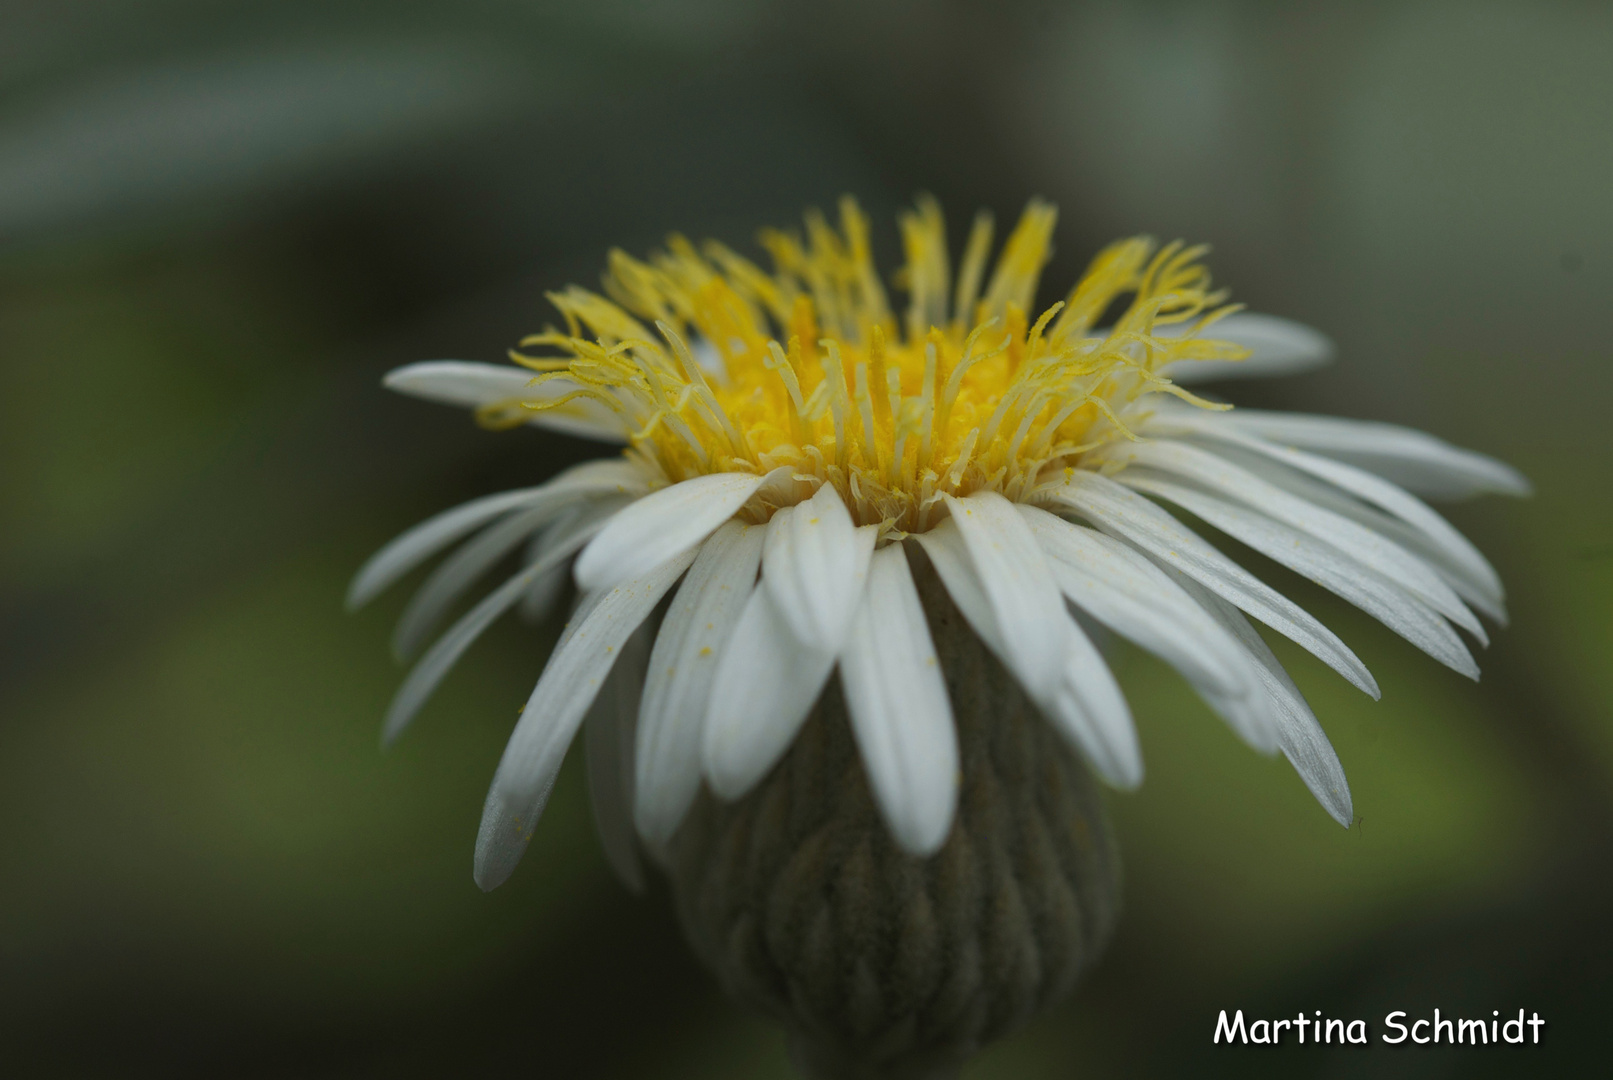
x: 793, y: 442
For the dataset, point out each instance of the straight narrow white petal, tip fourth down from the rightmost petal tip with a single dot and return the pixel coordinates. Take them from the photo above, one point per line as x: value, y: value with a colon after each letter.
x: 1128, y: 515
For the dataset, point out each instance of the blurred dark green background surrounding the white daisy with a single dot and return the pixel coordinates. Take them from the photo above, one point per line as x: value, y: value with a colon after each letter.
x: 220, y: 225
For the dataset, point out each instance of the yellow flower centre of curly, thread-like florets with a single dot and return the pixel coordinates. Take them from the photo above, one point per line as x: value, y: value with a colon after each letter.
x: 719, y: 367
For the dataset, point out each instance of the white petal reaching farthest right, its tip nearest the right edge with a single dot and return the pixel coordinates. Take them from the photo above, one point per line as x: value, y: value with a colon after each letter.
x: 1404, y: 455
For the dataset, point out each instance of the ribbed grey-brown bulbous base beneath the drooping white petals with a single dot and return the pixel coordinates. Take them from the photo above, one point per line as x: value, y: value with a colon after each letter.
x: 885, y: 966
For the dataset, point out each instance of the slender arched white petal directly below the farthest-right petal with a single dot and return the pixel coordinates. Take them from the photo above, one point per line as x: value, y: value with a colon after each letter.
x: 1370, y: 489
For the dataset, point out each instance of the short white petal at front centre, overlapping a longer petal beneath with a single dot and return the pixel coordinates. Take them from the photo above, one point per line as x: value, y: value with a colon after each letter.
x: 815, y: 563
